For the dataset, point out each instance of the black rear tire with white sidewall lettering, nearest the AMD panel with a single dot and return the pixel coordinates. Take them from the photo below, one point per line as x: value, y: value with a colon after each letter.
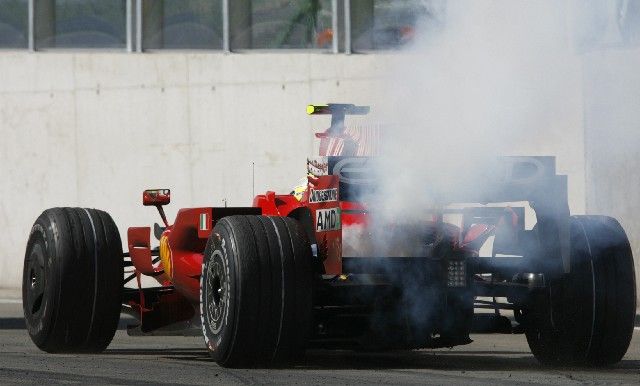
x: 256, y: 291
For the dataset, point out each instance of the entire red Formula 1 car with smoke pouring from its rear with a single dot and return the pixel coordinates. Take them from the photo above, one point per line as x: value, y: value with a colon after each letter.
x: 263, y: 283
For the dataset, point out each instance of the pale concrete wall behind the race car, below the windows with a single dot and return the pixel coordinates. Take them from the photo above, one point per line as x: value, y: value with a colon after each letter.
x: 95, y: 129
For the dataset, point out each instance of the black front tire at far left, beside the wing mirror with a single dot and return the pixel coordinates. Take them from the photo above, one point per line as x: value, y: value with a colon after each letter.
x: 72, y: 280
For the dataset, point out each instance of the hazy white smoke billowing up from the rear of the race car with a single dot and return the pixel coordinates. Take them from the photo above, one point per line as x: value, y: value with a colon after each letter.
x: 500, y: 77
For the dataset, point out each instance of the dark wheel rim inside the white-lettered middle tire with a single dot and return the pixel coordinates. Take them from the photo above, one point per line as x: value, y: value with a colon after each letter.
x: 217, y: 293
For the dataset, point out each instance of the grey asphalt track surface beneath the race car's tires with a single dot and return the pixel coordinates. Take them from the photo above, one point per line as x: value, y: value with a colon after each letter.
x: 491, y: 359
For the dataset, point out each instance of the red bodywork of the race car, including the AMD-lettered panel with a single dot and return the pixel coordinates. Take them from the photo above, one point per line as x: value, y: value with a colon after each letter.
x: 187, y: 239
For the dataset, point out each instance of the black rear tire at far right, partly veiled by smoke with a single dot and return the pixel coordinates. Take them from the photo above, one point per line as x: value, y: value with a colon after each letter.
x: 586, y: 317
